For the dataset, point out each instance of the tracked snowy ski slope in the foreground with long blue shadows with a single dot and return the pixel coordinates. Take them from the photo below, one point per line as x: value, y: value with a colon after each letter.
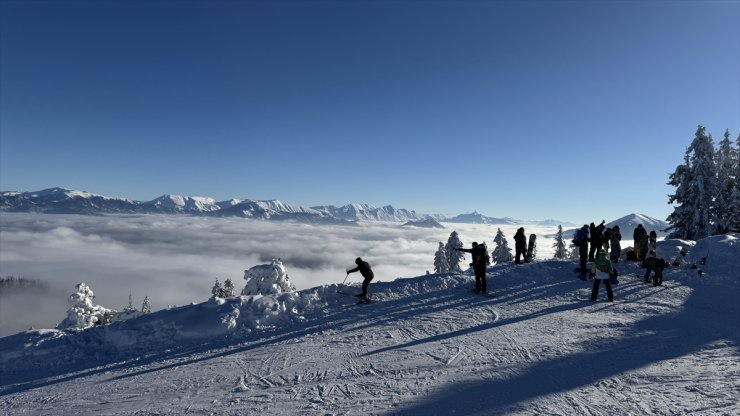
x: 428, y: 346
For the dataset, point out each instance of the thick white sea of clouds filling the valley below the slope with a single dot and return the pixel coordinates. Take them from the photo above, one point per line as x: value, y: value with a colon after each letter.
x: 175, y: 259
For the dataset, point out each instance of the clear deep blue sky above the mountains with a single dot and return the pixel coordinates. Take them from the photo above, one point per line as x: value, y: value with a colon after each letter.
x: 571, y: 110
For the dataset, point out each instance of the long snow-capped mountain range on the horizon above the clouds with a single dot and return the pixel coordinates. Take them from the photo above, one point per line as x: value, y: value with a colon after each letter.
x: 65, y: 201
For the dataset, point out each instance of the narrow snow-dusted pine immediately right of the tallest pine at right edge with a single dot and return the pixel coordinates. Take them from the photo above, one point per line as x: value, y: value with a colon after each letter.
x: 726, y: 159
